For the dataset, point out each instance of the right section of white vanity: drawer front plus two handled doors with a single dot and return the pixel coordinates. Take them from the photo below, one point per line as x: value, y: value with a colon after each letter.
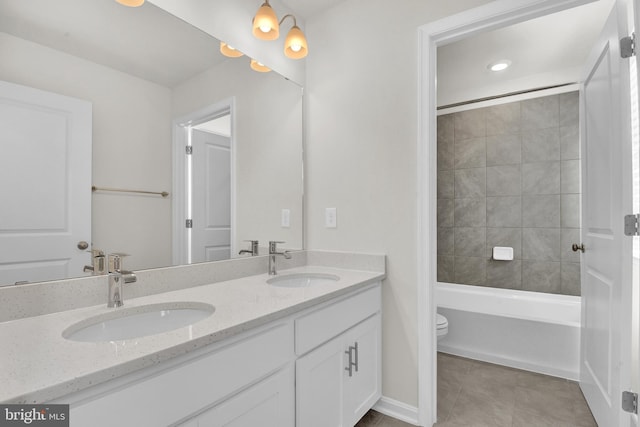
x: 339, y: 381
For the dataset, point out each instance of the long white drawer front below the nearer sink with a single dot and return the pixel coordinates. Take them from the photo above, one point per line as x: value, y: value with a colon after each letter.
x: 190, y: 387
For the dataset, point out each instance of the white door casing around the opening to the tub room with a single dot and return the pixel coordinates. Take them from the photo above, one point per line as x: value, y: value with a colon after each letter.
x: 496, y: 14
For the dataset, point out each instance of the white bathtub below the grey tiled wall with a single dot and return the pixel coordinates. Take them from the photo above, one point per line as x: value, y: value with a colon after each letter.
x: 527, y: 330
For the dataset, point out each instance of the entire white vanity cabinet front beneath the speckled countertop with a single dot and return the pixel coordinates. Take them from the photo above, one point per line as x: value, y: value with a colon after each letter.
x: 319, y: 367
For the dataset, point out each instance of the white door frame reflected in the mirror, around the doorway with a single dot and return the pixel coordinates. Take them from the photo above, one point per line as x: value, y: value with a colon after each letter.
x: 181, y: 201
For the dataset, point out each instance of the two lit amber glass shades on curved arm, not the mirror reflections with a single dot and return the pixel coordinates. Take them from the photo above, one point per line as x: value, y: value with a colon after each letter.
x: 267, y: 27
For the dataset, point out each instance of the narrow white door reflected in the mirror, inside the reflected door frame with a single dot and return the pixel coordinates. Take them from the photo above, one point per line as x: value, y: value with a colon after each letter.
x: 211, y: 197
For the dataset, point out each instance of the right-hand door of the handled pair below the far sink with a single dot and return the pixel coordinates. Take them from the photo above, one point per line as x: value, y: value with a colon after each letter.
x: 363, y: 388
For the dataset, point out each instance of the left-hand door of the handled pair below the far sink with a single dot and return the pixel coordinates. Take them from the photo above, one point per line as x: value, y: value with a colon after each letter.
x: 319, y: 386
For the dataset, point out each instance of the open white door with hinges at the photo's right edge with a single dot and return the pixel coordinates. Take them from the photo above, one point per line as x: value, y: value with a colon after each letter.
x: 606, y: 287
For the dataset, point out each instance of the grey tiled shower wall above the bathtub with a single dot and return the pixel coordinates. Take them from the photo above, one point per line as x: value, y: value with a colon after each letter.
x: 509, y: 175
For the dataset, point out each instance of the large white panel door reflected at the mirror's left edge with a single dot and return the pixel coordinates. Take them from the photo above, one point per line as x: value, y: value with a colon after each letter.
x: 45, y: 184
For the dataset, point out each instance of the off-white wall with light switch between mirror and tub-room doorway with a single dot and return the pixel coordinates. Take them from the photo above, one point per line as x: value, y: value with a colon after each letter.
x: 361, y: 94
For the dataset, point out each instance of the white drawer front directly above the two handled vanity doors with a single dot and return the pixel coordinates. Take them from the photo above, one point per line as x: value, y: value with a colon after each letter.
x: 330, y: 321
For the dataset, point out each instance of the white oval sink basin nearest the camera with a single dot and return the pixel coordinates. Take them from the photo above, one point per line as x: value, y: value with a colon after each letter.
x: 136, y: 322
